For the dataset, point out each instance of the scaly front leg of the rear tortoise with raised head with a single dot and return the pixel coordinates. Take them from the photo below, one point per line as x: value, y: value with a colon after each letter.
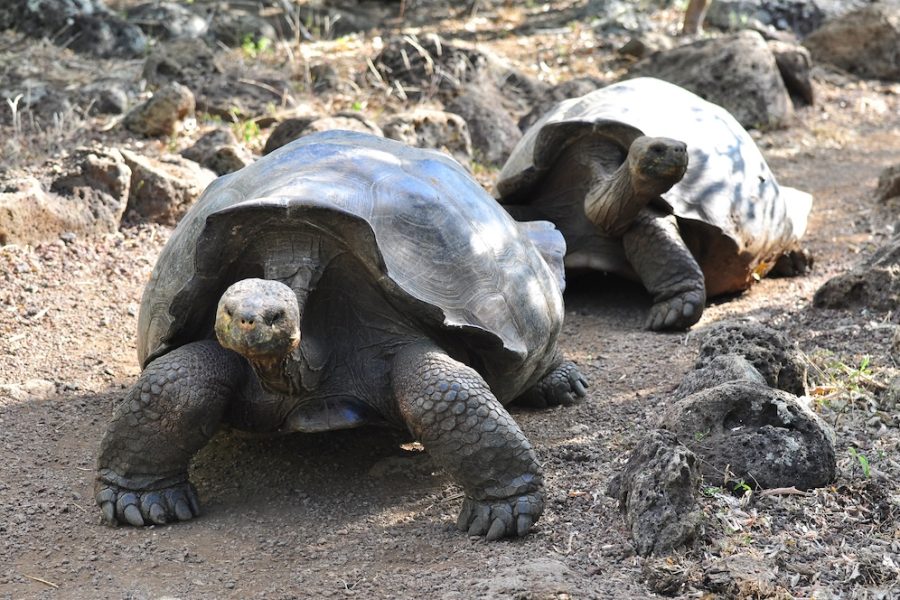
x: 666, y: 267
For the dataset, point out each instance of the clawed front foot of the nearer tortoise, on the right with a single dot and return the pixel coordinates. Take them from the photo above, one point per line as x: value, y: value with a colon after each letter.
x: 495, y: 519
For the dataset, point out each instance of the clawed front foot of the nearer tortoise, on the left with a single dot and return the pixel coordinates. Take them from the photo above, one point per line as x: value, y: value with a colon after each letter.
x: 177, y: 502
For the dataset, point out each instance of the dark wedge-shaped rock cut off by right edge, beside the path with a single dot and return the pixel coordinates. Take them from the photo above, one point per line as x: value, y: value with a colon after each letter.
x: 874, y: 283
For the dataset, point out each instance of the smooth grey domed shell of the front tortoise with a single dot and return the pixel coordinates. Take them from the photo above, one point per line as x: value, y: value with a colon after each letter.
x: 430, y: 236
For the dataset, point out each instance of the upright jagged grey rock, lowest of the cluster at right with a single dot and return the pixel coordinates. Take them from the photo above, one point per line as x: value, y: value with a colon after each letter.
x: 656, y: 492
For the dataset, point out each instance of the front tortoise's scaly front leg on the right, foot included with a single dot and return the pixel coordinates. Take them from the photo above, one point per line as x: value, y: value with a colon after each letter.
x: 450, y: 409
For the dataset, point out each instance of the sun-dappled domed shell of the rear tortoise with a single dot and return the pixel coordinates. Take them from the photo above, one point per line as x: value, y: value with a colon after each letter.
x: 728, y: 184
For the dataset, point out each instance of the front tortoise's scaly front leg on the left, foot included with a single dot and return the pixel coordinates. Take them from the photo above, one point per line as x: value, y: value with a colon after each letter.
x: 171, y: 412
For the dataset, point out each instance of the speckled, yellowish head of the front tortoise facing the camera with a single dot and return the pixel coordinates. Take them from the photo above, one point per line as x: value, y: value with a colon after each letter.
x: 259, y: 319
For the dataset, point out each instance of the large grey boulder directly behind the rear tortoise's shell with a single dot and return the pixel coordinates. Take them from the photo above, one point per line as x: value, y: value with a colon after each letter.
x: 737, y: 72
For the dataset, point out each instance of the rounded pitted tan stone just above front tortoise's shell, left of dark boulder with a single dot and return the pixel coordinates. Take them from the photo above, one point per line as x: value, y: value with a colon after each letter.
x: 429, y: 128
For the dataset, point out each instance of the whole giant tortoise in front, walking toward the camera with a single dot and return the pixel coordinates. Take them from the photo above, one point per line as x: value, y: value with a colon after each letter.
x: 344, y: 280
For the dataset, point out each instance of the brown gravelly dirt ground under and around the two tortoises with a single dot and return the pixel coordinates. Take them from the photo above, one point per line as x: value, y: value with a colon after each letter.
x: 356, y: 514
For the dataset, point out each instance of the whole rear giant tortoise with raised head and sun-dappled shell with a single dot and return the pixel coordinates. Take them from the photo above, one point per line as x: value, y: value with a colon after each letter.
x: 692, y: 214
